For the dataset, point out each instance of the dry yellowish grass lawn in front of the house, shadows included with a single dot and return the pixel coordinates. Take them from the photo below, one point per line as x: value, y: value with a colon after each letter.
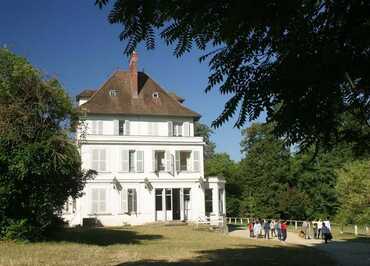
x: 156, y: 245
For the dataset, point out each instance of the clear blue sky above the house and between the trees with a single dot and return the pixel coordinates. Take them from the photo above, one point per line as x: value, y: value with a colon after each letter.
x: 73, y: 41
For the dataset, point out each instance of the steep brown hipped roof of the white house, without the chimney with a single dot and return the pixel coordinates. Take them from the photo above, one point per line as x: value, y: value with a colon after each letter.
x: 101, y: 102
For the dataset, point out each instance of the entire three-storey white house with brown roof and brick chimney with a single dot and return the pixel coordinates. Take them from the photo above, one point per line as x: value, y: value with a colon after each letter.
x: 140, y: 139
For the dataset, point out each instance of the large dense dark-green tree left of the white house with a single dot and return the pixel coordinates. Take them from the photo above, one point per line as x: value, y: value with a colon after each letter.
x: 40, y: 166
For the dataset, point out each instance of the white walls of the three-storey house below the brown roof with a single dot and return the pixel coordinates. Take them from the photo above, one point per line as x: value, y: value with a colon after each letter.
x: 150, y: 168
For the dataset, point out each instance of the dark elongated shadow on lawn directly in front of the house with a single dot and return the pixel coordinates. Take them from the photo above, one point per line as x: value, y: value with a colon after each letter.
x: 100, y: 236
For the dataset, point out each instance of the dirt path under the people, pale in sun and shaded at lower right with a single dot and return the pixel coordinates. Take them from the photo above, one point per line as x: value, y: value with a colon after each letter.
x: 346, y: 253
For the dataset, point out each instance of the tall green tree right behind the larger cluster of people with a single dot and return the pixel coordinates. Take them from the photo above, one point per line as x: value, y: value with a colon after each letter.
x: 266, y: 173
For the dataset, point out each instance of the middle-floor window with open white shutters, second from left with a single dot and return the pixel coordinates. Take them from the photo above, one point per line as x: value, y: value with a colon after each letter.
x: 132, y: 161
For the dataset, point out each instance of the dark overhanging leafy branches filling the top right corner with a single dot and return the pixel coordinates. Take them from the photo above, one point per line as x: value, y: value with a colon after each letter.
x: 303, y: 62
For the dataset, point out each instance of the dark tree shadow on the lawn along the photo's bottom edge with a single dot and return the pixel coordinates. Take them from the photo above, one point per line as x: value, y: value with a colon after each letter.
x: 251, y: 256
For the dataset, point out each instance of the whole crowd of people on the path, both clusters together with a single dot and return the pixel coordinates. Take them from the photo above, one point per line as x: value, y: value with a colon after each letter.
x: 278, y: 229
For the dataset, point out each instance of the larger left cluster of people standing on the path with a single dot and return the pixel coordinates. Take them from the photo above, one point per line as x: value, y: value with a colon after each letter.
x: 268, y: 229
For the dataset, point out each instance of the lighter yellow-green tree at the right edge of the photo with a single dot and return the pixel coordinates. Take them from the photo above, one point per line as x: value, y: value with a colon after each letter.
x: 353, y: 188
